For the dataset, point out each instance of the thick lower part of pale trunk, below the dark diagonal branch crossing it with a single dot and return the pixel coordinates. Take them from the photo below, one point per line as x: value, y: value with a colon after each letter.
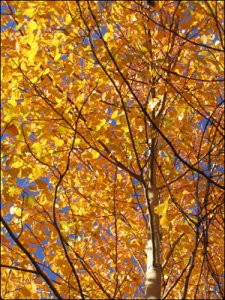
x: 153, y: 271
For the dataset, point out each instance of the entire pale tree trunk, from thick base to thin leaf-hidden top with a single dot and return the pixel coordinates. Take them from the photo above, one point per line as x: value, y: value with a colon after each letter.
x: 153, y: 271
